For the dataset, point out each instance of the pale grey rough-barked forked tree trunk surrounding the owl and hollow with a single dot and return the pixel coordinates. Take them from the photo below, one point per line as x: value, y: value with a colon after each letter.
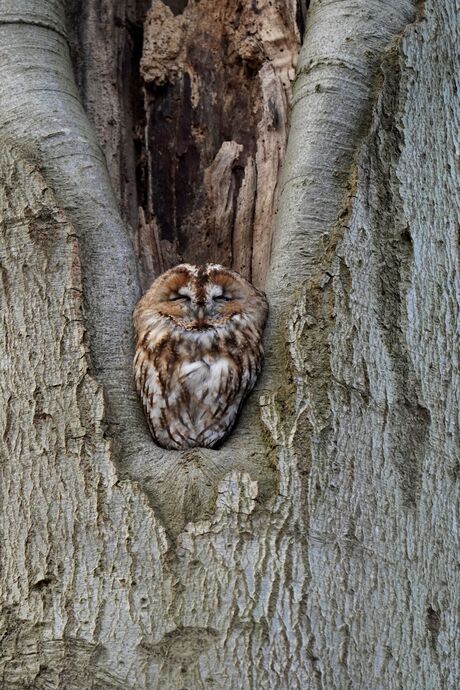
x: 317, y: 548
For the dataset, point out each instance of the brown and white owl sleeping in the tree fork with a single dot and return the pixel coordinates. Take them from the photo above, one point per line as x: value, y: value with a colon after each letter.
x: 198, y: 353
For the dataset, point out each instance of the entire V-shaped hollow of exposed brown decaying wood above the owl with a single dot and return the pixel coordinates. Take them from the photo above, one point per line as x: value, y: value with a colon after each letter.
x: 195, y: 135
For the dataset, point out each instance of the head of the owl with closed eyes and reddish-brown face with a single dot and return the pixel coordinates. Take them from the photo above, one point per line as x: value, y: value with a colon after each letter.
x: 200, y: 297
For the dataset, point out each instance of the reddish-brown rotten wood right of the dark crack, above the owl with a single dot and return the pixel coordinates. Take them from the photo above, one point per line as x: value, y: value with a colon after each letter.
x: 217, y: 85
